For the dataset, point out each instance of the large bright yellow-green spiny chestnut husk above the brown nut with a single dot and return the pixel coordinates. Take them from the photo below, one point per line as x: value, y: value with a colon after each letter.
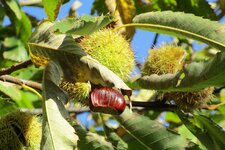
x: 112, y: 50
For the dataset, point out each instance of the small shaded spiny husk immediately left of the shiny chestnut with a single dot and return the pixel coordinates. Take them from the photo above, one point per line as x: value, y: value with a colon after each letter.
x: 79, y: 91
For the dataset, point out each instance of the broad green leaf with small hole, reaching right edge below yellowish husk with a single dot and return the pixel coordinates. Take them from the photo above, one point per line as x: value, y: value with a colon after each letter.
x: 196, y: 77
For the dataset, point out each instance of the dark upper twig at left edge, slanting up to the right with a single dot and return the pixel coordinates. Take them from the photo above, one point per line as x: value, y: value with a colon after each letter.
x: 15, y: 67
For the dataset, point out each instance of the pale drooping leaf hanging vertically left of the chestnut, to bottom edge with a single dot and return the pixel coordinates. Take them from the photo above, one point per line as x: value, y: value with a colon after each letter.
x: 57, y: 132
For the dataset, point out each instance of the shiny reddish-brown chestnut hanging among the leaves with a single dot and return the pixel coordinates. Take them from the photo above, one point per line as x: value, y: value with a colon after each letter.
x: 107, y: 100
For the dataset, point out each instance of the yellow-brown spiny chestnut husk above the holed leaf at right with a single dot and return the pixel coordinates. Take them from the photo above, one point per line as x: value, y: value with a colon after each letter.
x: 166, y: 59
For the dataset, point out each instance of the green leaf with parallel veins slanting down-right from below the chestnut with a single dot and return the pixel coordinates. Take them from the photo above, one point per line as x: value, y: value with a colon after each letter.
x: 150, y: 133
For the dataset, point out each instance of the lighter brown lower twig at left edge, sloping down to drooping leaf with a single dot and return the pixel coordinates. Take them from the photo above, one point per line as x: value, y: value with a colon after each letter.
x: 15, y: 80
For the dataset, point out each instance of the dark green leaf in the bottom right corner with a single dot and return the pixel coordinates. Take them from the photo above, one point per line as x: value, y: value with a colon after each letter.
x: 207, y: 131
